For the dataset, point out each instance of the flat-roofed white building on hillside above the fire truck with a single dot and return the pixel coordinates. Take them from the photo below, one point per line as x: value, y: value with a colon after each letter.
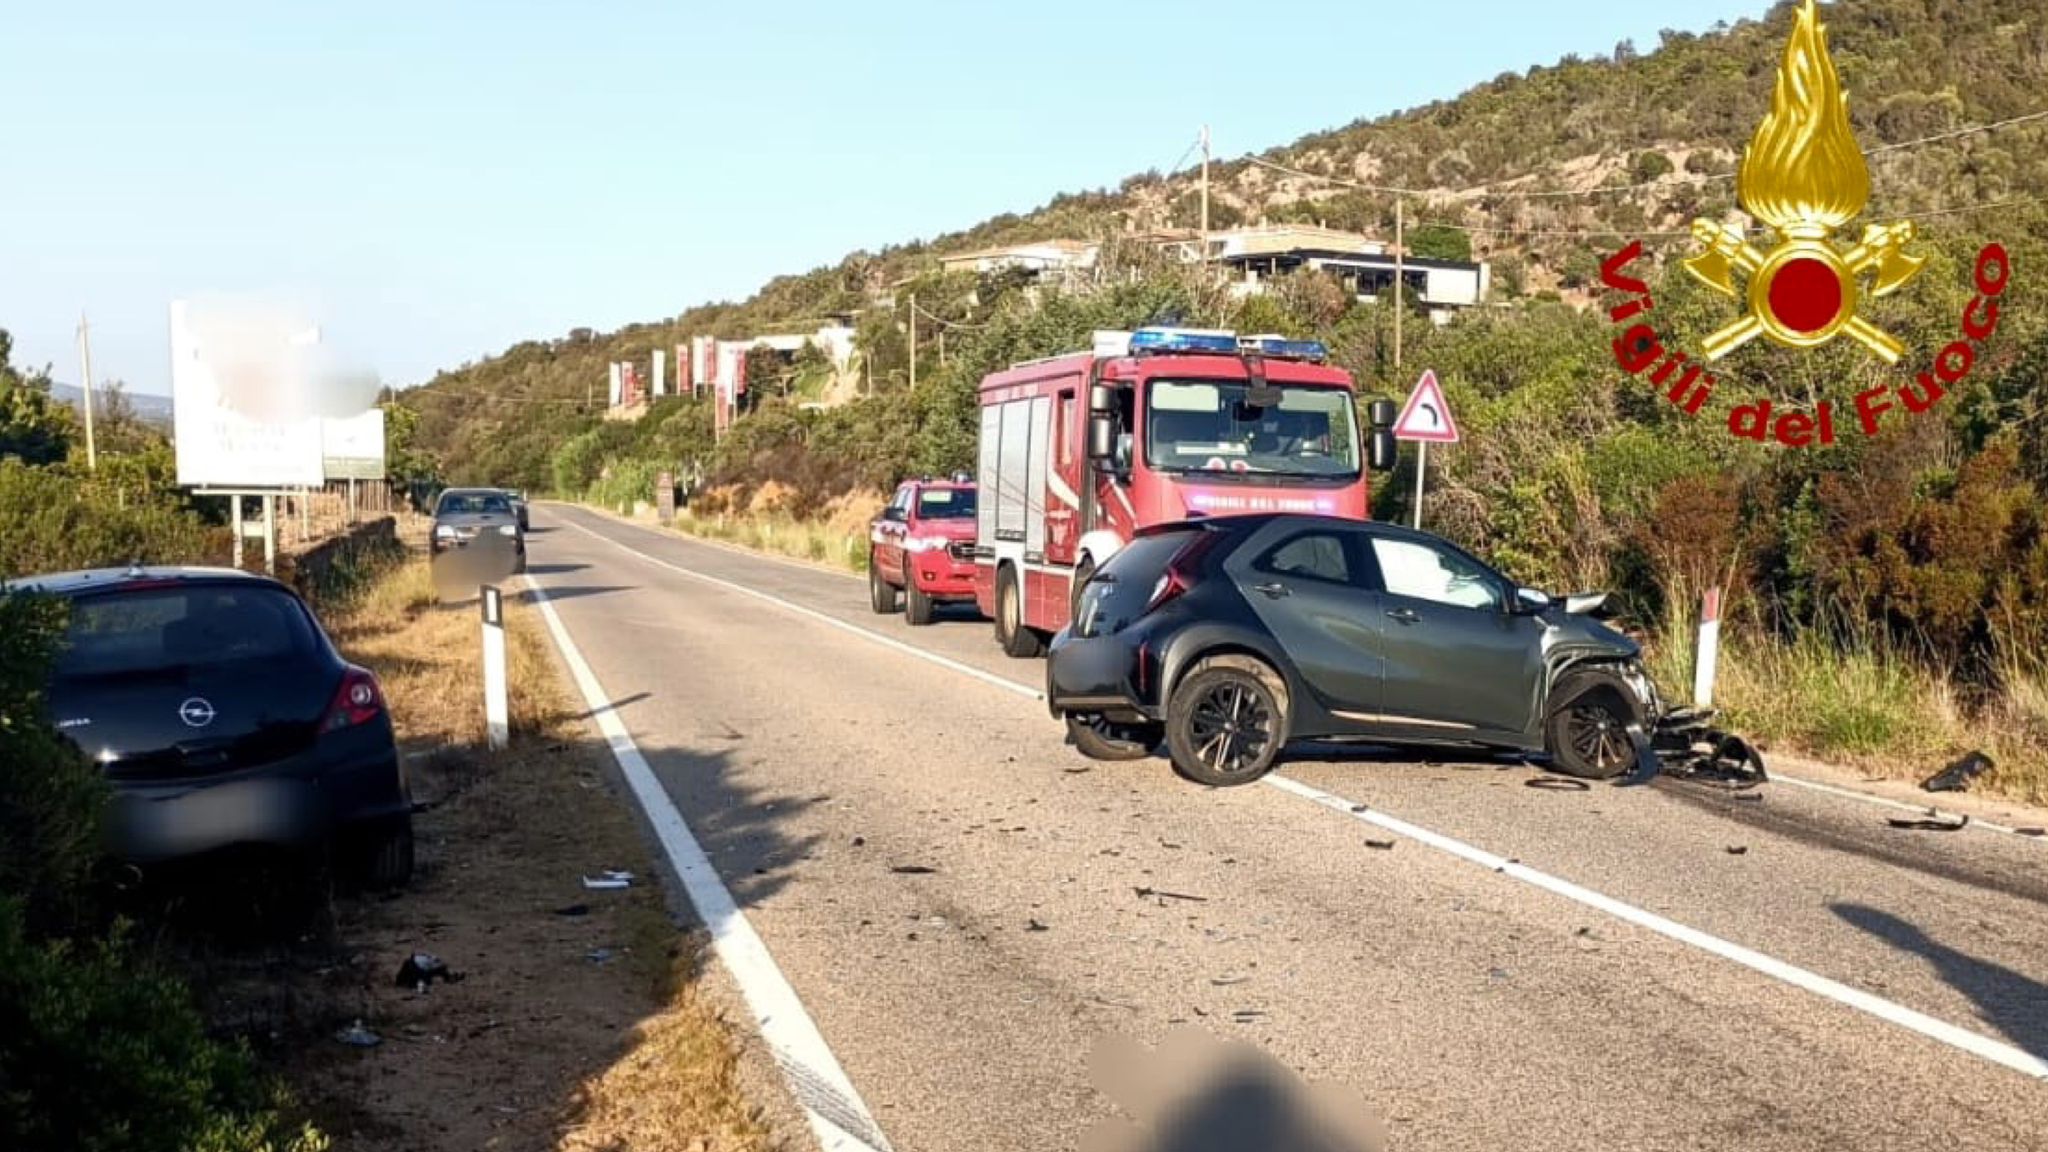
x: 1261, y: 253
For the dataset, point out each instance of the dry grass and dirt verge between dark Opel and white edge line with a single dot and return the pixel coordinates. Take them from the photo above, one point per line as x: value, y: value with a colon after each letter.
x: 540, y: 1048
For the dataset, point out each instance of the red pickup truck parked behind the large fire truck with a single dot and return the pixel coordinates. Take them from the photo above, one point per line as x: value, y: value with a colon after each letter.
x: 923, y: 548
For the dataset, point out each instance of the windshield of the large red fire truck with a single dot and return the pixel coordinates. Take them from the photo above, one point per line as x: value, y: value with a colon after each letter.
x: 1205, y: 425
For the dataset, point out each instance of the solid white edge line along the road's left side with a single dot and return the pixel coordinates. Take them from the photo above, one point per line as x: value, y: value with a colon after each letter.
x: 839, y: 1116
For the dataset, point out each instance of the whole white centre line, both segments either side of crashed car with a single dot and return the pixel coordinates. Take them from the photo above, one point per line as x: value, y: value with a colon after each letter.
x: 1879, y: 1007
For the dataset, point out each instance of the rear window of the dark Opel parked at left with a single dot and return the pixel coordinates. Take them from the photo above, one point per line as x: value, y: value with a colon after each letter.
x: 187, y: 626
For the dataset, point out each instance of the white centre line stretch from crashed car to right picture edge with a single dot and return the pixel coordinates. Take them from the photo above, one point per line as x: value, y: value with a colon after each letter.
x: 1725, y: 950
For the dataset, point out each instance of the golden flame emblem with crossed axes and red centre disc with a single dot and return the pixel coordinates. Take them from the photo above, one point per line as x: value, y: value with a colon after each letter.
x: 1805, y: 177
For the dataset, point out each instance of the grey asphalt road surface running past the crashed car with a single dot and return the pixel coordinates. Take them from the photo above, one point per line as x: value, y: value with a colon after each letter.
x: 1492, y: 964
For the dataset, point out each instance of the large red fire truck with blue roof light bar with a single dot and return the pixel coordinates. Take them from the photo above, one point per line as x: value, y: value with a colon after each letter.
x: 1152, y: 427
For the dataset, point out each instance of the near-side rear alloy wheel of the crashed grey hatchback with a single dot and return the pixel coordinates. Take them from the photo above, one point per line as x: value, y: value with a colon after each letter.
x: 1226, y: 723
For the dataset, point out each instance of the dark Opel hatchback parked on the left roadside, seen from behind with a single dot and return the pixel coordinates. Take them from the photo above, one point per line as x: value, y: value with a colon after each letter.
x: 224, y: 716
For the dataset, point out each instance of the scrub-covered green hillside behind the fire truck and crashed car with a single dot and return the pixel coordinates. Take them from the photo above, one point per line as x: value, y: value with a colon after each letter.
x: 1889, y: 593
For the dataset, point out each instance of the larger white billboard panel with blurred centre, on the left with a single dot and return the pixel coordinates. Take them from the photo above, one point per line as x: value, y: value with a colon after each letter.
x: 224, y: 434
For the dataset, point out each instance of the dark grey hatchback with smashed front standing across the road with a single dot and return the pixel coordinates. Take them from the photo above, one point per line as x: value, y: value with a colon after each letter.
x: 1228, y: 639
